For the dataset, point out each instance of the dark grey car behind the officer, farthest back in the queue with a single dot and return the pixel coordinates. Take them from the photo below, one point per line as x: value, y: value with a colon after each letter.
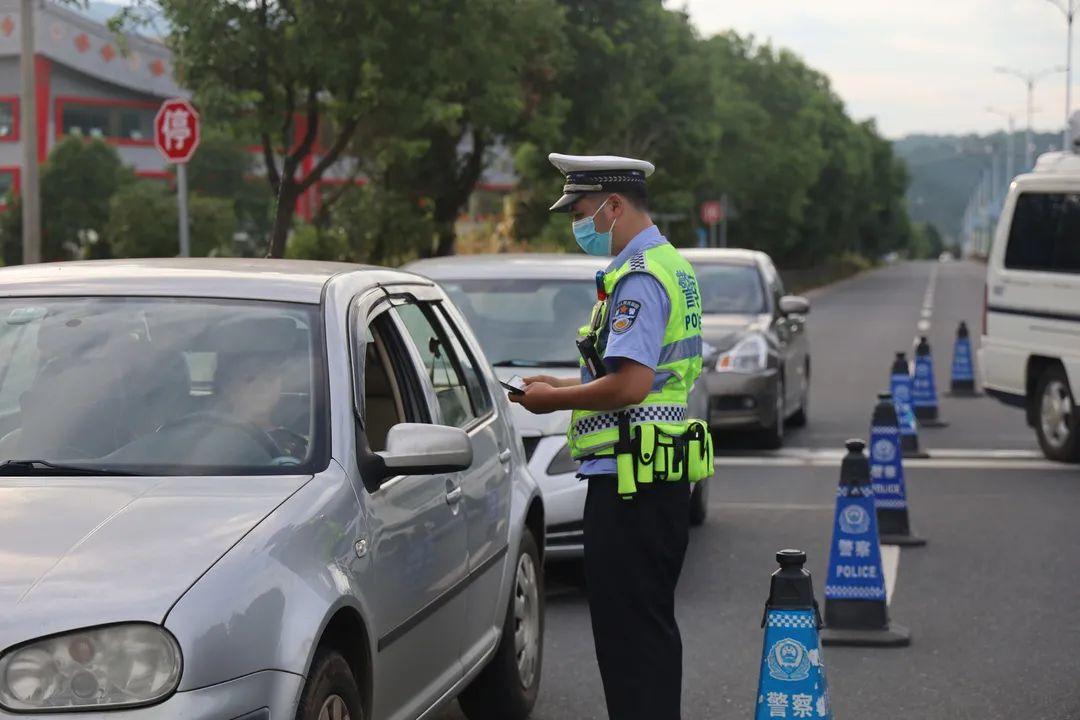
x: 761, y: 374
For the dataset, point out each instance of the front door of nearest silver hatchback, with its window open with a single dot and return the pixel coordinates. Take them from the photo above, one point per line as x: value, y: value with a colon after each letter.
x: 417, y: 538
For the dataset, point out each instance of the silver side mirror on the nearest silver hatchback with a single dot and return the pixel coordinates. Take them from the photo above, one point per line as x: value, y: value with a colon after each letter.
x: 423, y: 450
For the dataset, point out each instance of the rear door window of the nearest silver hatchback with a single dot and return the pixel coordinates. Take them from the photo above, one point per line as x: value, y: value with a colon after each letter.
x: 441, y: 363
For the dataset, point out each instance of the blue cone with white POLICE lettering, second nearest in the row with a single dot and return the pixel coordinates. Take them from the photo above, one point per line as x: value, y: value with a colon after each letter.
x: 856, y: 606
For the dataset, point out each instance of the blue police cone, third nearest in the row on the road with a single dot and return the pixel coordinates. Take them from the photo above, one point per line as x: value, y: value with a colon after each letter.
x: 887, y: 477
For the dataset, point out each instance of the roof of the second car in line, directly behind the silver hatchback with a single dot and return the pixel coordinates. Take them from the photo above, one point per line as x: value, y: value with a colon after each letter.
x: 510, y: 265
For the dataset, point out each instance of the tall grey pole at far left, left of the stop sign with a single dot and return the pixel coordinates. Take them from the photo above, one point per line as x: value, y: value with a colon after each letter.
x: 29, y: 131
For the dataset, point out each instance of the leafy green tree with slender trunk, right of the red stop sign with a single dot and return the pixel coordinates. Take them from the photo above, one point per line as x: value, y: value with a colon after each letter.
x: 303, y: 78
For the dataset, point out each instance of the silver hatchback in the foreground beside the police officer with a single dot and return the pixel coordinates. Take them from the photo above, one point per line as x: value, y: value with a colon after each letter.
x: 259, y: 491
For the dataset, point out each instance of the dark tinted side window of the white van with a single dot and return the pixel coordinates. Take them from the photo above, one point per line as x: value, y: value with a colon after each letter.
x: 1046, y: 234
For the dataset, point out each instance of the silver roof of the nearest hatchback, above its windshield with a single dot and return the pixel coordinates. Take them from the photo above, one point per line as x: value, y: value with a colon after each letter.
x: 256, y: 279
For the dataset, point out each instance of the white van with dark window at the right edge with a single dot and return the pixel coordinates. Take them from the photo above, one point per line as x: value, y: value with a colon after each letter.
x: 1031, y: 345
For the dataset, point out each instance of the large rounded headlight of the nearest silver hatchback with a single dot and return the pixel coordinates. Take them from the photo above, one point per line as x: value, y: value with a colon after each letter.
x: 115, y: 667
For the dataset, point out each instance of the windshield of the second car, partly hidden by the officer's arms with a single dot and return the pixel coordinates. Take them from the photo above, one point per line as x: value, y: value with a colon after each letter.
x: 525, y: 321
